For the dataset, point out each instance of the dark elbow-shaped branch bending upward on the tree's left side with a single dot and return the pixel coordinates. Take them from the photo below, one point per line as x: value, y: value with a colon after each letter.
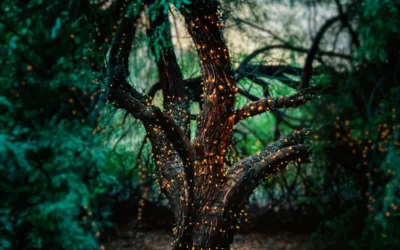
x: 124, y: 96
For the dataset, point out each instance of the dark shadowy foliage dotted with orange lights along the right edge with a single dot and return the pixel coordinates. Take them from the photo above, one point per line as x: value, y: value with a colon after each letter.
x: 361, y: 141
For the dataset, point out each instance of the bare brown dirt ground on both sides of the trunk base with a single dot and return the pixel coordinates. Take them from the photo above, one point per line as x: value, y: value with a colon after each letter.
x: 161, y: 240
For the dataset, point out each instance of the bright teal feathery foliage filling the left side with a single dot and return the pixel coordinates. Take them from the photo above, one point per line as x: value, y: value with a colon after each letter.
x: 52, y: 161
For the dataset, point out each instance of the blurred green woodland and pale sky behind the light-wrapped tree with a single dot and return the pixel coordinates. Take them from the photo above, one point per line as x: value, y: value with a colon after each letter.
x: 75, y: 170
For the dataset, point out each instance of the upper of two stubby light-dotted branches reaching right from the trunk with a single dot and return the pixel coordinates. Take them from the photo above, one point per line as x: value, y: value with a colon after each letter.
x: 272, y: 103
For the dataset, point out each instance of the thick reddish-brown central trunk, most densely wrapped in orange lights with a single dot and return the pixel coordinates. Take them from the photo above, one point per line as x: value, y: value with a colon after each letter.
x: 210, y: 225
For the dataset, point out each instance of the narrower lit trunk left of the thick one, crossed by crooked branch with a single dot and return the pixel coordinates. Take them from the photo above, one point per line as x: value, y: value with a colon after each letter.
x: 173, y: 172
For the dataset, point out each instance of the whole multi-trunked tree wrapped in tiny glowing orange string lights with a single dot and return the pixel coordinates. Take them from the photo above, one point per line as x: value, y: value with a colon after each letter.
x: 207, y: 196
